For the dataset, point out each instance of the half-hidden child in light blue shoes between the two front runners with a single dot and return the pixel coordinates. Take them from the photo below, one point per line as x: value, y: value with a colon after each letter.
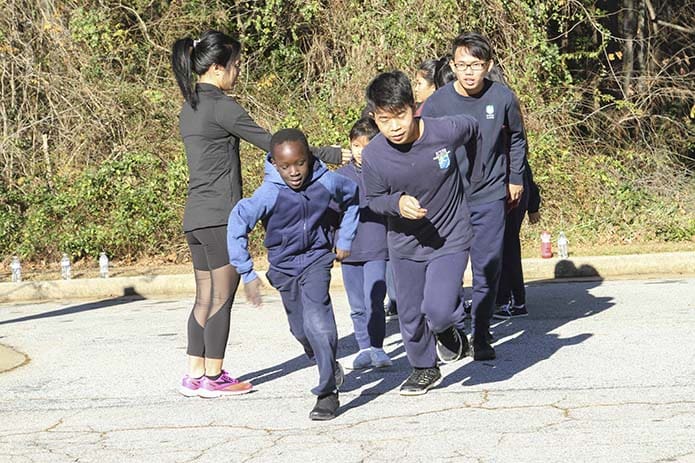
x: 364, y: 271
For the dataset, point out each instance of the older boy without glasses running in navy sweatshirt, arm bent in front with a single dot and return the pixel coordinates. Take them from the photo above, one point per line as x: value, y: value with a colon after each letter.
x: 411, y: 174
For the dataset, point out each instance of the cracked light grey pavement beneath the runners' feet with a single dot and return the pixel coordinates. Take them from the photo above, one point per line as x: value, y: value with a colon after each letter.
x: 599, y: 371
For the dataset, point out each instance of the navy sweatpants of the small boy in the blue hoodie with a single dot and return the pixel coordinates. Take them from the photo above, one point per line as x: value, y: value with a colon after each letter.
x: 310, y: 315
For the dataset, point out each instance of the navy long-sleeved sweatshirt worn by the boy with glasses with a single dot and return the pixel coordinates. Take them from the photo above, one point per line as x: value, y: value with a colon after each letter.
x: 502, y: 131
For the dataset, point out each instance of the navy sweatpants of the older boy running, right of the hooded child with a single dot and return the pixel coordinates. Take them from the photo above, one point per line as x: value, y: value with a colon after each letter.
x: 428, y: 302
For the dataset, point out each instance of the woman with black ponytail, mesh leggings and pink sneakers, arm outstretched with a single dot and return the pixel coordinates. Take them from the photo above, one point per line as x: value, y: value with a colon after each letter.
x: 212, y: 125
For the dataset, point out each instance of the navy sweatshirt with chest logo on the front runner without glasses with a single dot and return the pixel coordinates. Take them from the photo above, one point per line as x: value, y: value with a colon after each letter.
x: 427, y: 169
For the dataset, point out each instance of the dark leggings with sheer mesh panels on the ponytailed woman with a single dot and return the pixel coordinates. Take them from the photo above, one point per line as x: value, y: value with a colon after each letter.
x: 216, y: 283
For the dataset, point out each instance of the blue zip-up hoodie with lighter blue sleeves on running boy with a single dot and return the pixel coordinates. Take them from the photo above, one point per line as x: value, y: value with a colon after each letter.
x: 295, y: 222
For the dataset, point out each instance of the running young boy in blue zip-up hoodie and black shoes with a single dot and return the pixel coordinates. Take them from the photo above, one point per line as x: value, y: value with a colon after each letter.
x: 292, y: 203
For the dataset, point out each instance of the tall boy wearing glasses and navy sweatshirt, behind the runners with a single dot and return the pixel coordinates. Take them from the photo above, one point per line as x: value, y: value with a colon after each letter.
x: 494, y: 179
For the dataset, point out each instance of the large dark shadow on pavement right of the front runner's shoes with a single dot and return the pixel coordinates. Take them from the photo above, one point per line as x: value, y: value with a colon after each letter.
x: 530, y: 340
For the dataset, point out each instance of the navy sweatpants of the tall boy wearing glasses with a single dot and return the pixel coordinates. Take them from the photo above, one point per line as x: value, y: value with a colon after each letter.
x: 486, y: 262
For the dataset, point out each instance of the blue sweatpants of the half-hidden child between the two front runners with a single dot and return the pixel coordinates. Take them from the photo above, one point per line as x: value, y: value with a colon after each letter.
x: 365, y: 284
